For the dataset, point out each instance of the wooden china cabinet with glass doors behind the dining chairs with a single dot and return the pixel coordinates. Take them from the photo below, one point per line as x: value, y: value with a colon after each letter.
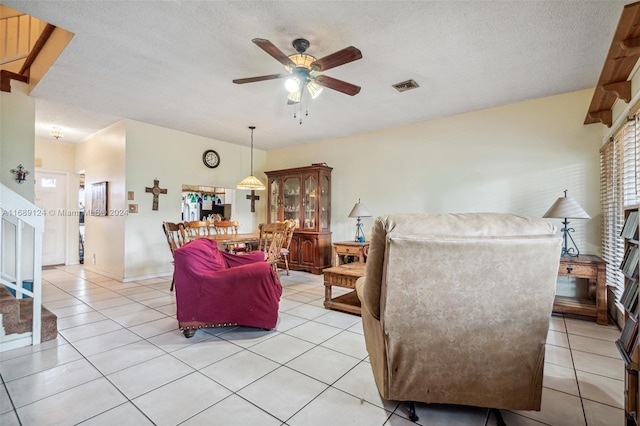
x: 303, y: 195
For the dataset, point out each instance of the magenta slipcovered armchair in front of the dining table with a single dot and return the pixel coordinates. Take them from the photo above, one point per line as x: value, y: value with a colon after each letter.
x: 217, y: 289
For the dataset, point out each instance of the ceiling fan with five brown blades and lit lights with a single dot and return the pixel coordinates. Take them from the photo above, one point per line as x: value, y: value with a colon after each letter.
x: 301, y: 67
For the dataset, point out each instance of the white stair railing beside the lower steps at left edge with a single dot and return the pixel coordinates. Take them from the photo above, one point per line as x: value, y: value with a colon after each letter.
x: 21, y: 229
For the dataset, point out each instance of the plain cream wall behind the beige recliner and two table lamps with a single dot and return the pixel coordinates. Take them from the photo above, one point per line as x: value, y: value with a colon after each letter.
x: 516, y: 158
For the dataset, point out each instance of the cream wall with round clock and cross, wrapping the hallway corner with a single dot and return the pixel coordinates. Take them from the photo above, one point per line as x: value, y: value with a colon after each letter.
x: 130, y: 155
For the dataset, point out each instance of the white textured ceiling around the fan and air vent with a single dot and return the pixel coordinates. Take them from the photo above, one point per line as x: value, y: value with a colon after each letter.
x: 171, y: 63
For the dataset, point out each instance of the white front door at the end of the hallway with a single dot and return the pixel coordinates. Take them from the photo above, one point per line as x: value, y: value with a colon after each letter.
x: 51, y: 196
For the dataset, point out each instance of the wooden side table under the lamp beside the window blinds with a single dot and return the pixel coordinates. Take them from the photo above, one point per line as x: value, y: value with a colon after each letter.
x: 592, y: 268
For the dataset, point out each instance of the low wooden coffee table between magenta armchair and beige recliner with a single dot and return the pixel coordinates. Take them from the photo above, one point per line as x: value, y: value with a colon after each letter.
x: 343, y: 276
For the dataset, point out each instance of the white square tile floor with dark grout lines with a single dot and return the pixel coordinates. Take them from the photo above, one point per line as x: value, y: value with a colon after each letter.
x: 120, y: 360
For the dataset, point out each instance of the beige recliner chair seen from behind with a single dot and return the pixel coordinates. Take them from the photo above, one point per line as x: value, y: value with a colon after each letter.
x: 456, y: 308
